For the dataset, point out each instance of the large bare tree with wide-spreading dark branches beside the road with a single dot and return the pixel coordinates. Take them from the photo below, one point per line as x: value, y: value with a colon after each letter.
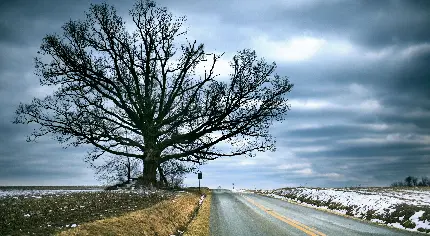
x: 110, y: 79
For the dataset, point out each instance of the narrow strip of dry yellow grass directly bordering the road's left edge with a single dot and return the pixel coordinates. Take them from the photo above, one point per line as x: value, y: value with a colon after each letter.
x: 200, y: 225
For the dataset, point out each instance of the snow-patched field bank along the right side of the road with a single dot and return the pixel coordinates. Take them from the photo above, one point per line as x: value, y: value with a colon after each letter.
x: 401, y: 208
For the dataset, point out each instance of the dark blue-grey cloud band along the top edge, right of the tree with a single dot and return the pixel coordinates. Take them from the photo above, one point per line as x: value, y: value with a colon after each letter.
x: 370, y: 23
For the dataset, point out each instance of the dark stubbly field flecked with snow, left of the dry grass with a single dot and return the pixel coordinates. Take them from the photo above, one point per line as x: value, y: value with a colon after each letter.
x: 43, y: 211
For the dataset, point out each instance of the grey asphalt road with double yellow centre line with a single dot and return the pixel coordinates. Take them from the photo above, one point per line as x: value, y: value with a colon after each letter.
x: 251, y: 214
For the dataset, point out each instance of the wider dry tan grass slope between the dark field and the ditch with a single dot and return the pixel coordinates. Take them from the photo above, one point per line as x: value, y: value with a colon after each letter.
x: 164, y: 218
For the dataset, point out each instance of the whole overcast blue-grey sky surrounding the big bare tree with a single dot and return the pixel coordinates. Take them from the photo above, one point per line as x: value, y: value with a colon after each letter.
x: 360, y: 107
